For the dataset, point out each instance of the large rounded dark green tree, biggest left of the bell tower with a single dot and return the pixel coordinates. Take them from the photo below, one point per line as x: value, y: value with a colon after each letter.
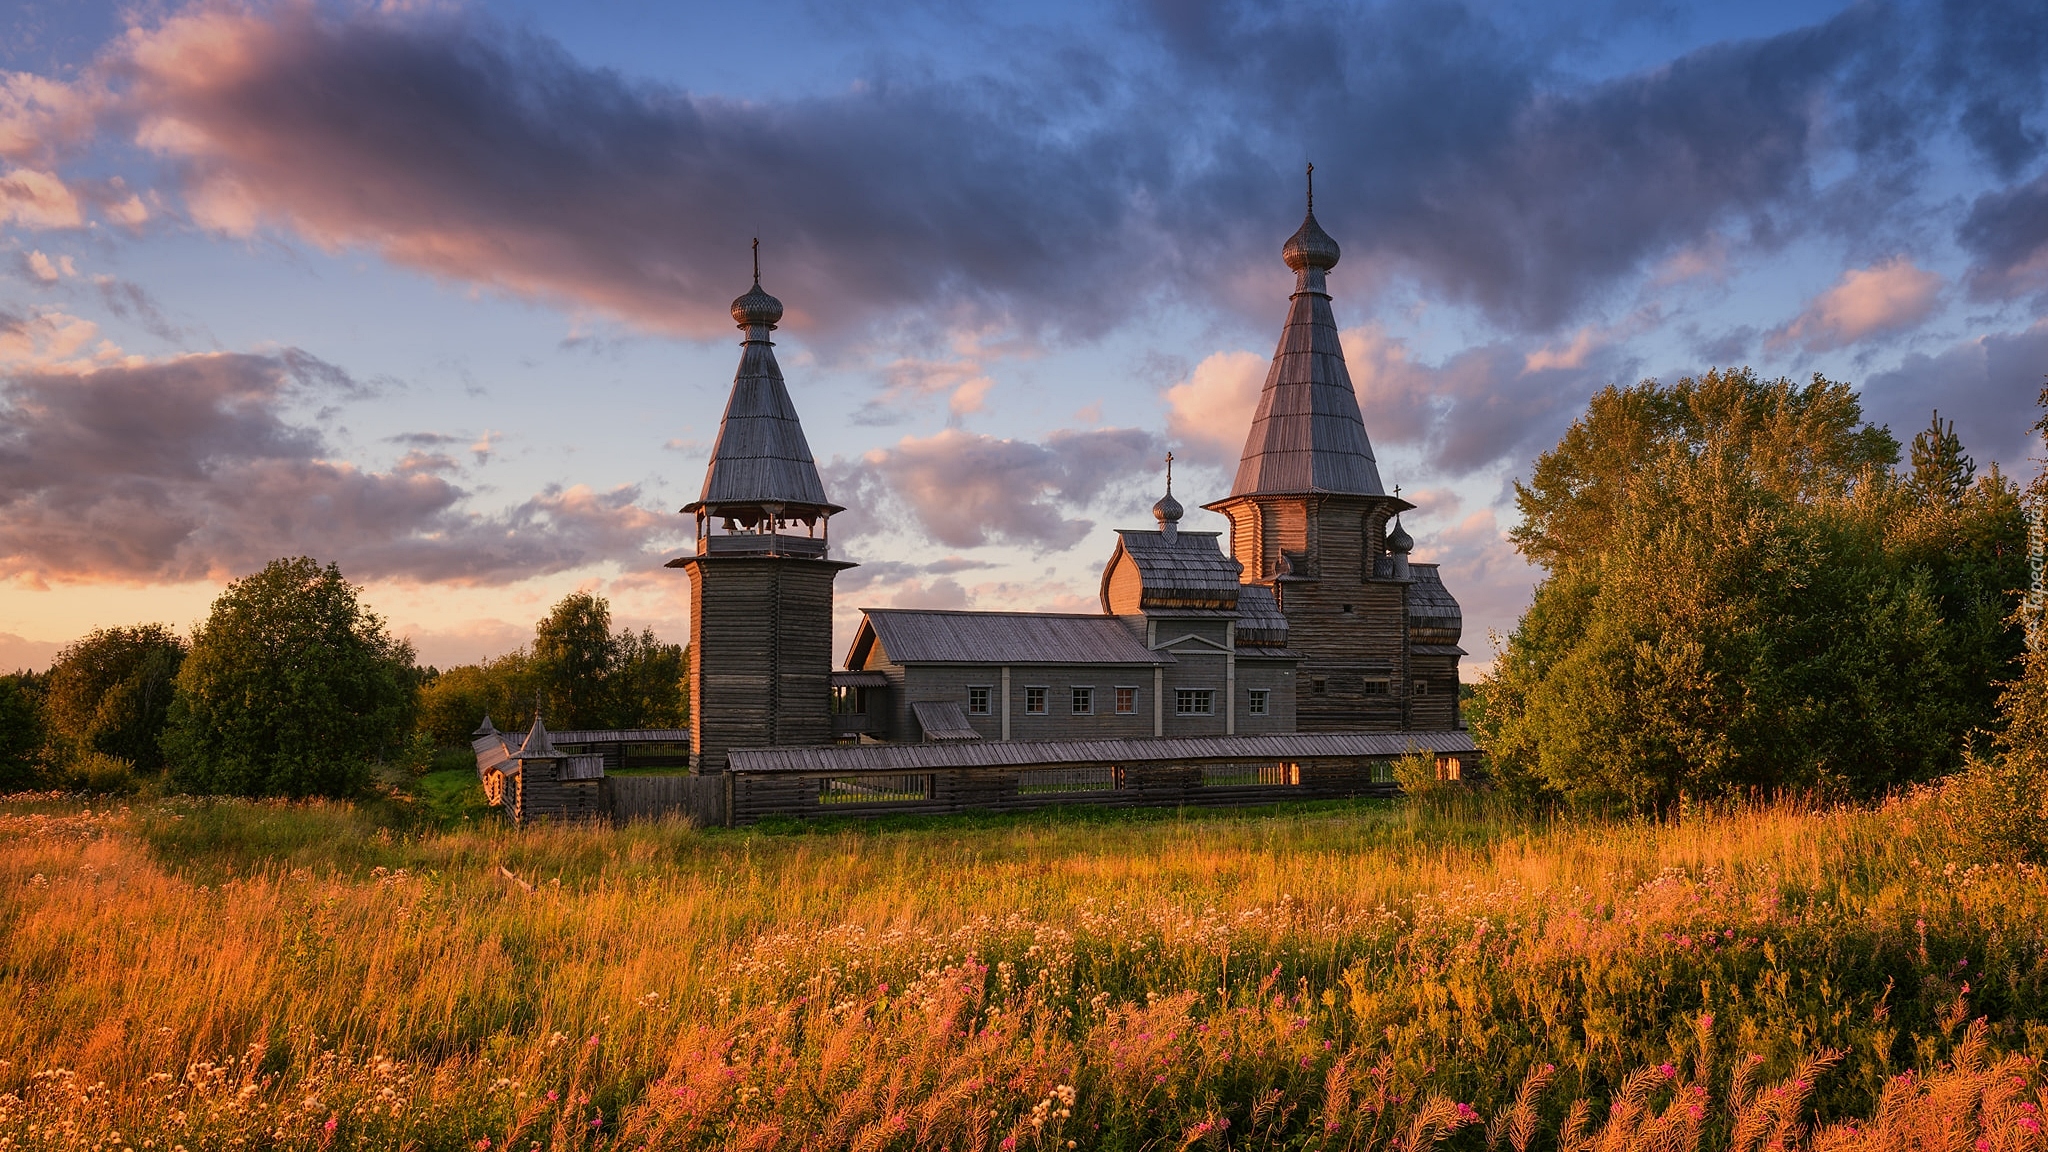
x: 292, y: 688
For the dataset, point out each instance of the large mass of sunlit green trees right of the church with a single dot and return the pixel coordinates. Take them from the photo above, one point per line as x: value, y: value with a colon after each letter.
x: 1742, y: 595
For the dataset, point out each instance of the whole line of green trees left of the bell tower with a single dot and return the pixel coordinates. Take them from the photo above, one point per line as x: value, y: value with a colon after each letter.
x: 294, y: 688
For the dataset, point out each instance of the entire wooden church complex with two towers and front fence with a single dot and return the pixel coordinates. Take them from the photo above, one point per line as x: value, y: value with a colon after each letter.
x: 1302, y: 653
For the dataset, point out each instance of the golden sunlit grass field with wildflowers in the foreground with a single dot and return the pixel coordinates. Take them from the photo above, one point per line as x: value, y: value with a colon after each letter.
x: 183, y: 975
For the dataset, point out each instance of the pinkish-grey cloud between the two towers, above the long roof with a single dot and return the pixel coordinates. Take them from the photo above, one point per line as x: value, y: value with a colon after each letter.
x: 968, y: 491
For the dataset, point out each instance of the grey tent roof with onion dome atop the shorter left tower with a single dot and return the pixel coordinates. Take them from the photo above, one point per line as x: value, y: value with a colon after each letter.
x: 761, y: 456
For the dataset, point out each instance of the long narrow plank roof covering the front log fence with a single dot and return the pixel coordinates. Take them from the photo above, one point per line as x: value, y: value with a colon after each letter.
x: 1132, y: 751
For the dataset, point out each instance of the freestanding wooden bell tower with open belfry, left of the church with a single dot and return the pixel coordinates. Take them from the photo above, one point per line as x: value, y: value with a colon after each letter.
x: 761, y: 581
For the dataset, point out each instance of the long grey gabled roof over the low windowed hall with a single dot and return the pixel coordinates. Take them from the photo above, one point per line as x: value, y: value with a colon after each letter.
x: 923, y: 636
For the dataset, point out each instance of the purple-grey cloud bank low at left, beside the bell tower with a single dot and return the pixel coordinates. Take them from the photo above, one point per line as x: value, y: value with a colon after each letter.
x: 187, y: 470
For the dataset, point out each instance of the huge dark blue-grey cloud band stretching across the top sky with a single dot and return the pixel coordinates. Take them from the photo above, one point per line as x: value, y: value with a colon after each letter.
x: 1062, y: 198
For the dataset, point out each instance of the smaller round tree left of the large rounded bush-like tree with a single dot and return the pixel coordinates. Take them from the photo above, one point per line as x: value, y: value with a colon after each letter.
x: 112, y: 694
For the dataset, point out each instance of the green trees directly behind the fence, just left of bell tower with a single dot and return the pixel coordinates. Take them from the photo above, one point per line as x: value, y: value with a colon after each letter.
x: 587, y: 675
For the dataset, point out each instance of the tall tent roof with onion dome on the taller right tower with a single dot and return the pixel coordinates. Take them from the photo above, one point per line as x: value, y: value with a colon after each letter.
x: 1308, y: 434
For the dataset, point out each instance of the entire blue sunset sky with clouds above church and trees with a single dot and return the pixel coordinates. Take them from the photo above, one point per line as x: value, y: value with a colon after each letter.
x: 439, y: 292
